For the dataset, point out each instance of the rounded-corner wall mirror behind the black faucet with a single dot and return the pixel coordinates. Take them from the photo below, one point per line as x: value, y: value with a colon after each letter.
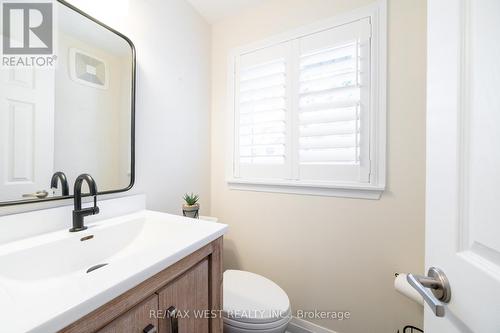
x: 76, y: 117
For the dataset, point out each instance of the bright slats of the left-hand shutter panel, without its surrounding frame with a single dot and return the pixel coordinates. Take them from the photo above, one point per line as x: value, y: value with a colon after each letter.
x: 262, y: 113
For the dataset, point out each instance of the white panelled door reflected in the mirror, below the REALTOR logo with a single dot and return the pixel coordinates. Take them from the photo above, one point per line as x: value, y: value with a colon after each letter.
x: 26, y: 131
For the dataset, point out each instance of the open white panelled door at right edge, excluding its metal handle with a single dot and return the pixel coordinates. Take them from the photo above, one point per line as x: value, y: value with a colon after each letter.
x: 463, y: 162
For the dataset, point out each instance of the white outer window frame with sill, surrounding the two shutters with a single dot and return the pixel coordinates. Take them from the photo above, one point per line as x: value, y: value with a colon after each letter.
x: 377, y: 13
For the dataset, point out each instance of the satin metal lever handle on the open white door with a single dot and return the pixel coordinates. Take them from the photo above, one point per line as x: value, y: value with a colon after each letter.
x: 439, y: 293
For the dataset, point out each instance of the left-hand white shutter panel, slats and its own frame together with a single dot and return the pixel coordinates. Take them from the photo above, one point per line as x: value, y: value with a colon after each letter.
x: 262, y: 106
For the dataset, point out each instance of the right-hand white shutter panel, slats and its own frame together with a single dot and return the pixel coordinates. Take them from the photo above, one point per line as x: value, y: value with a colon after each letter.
x: 333, y: 104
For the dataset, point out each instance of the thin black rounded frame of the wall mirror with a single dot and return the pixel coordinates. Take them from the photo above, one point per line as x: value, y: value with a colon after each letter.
x: 132, y: 134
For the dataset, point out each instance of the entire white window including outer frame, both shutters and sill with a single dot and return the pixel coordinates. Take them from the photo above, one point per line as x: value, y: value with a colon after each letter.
x: 308, y: 110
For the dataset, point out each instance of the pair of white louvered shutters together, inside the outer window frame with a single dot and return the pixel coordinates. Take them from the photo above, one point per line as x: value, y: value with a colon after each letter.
x: 302, y: 108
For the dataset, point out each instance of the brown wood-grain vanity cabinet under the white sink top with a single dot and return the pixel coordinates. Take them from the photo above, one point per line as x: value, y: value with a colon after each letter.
x: 191, y: 289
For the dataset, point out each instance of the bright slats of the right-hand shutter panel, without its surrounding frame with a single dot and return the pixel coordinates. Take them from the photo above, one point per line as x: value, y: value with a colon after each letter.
x: 329, y: 99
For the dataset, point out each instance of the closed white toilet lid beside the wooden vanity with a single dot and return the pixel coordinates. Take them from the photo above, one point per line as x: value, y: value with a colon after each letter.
x: 252, y: 298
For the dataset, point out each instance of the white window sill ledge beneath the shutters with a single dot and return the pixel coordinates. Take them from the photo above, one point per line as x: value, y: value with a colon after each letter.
x: 359, y: 191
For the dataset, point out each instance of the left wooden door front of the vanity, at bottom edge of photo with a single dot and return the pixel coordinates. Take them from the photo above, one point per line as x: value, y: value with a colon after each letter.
x: 136, y: 320
